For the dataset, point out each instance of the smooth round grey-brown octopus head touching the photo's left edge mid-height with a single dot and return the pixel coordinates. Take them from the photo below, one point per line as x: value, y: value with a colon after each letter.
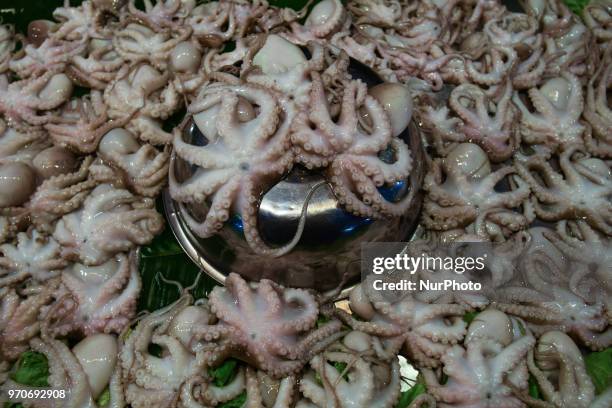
x: 17, y: 183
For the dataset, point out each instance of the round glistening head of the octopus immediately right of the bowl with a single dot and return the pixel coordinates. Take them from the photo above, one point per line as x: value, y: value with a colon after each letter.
x: 468, y: 159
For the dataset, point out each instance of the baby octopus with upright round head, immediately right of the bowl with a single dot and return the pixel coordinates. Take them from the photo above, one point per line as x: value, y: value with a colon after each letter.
x: 468, y: 192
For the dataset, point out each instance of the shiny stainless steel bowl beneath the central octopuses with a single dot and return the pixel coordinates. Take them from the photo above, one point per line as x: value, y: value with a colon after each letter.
x: 330, y: 245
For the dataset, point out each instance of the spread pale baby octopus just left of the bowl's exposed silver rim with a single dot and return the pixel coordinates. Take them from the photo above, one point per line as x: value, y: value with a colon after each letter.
x: 110, y: 221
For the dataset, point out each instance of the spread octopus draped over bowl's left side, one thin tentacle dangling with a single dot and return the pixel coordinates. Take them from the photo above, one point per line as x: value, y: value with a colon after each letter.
x: 245, y: 152
